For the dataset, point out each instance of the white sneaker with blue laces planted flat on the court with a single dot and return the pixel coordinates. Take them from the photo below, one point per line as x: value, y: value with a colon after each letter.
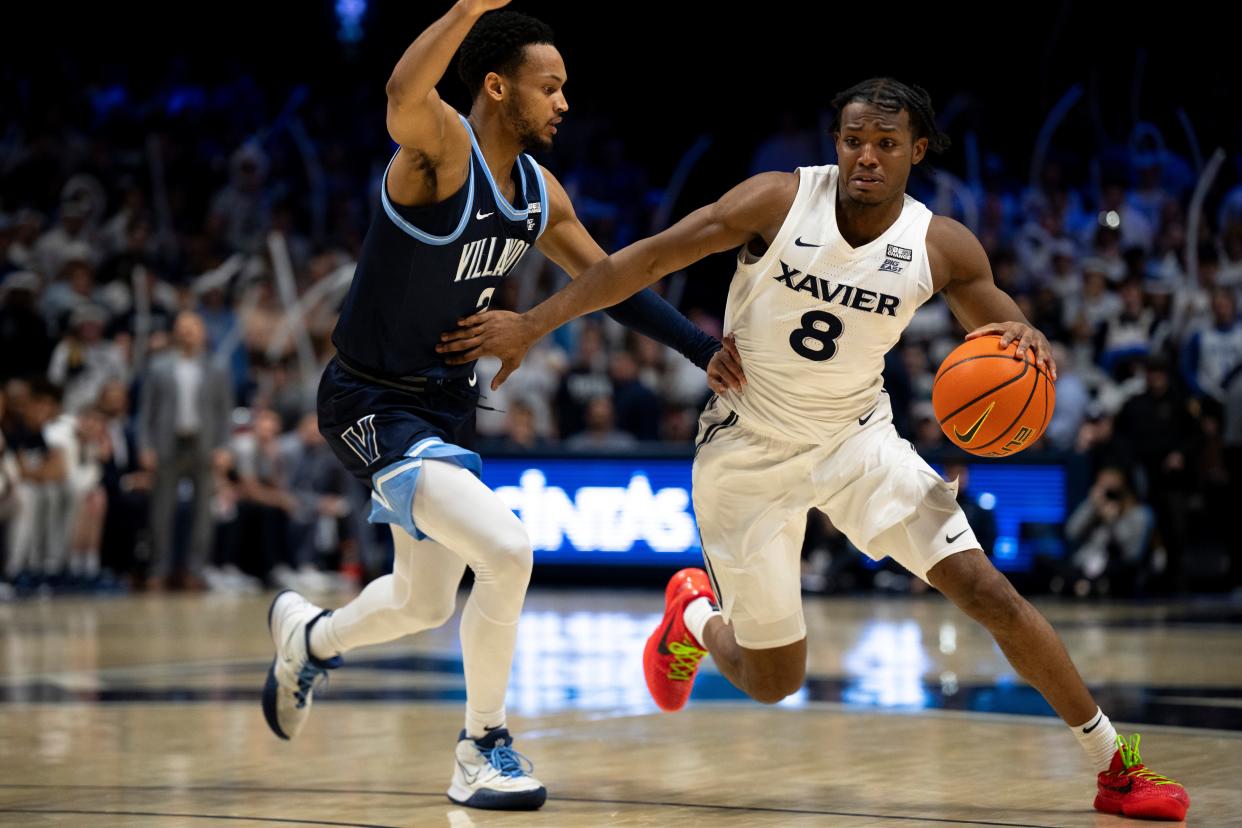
x: 491, y: 775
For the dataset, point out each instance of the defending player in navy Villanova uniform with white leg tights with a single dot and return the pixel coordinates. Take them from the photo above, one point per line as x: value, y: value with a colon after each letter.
x: 461, y: 204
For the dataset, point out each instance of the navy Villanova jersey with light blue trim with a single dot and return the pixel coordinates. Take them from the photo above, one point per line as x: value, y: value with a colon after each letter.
x: 423, y: 269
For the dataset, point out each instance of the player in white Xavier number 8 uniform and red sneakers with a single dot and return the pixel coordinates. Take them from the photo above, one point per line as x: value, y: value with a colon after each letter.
x: 833, y: 263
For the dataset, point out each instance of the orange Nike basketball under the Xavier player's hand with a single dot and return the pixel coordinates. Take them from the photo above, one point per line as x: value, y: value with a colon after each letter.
x: 990, y: 403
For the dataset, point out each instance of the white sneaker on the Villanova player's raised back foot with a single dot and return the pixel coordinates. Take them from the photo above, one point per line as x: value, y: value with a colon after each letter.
x: 294, y: 672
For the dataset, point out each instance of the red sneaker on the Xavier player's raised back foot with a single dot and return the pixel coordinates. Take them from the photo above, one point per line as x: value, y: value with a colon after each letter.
x: 673, y: 656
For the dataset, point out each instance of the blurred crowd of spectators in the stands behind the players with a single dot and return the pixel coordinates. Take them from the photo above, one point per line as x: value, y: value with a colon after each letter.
x: 171, y: 270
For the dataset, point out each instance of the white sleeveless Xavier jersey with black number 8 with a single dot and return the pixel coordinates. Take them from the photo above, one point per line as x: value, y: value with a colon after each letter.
x: 814, y: 317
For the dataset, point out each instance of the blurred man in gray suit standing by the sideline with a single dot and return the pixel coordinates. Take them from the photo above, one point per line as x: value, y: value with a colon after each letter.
x: 183, y: 430
